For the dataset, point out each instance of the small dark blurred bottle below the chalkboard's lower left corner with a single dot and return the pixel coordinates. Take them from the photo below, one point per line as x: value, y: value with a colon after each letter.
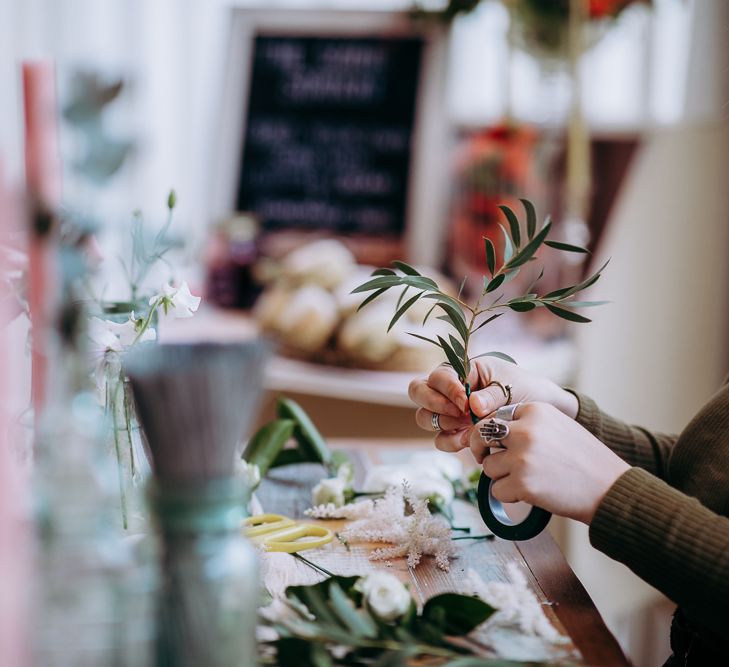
x: 231, y: 258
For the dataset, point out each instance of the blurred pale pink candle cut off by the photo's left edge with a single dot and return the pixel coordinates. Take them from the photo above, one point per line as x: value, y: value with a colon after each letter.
x: 13, y: 529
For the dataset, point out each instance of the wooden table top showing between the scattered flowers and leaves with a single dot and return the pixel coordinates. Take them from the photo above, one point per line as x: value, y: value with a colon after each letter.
x: 567, y: 604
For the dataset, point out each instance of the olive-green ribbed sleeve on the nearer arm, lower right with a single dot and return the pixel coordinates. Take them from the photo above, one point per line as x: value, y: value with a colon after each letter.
x: 671, y: 541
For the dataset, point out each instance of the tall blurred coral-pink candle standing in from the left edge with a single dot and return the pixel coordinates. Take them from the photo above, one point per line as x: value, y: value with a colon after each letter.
x: 43, y: 179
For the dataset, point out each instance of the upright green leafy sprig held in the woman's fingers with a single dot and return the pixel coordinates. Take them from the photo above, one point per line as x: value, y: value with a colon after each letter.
x: 519, y: 247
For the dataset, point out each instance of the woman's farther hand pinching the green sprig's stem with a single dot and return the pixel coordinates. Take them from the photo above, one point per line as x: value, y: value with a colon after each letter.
x: 442, y: 393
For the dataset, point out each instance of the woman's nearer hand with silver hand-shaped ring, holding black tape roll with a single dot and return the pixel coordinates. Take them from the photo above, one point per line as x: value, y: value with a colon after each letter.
x: 549, y: 460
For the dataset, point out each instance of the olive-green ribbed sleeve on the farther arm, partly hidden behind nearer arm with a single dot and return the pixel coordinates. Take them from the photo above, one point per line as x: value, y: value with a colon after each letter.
x: 635, y: 445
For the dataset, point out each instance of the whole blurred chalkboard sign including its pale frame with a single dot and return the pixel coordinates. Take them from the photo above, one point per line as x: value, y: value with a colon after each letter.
x: 333, y: 121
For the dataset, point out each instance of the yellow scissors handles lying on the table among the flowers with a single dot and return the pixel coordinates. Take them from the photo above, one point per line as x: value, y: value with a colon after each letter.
x: 279, y: 533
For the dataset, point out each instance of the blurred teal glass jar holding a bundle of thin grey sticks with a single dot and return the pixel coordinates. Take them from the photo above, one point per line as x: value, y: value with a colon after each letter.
x: 208, y: 601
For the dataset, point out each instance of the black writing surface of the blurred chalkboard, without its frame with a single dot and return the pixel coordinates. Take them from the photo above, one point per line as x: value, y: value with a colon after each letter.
x: 329, y: 133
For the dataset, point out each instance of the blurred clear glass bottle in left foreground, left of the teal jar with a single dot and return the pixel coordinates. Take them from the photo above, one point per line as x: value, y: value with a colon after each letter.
x: 94, y: 589
